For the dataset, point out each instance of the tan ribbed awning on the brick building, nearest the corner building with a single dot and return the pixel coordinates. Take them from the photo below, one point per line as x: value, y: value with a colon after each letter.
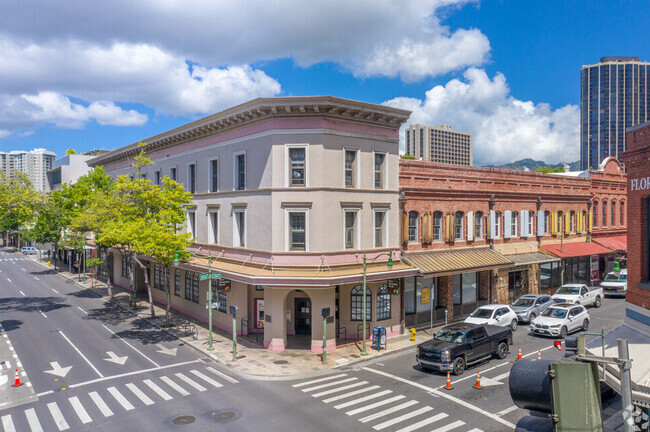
x: 439, y: 263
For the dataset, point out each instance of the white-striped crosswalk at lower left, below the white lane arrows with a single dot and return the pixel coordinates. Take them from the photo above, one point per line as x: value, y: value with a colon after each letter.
x: 82, y: 409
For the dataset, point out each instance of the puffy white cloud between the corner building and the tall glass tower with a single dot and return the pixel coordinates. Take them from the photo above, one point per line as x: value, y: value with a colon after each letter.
x: 504, y: 129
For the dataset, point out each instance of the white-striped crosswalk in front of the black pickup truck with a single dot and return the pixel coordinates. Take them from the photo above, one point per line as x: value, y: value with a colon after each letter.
x: 381, y: 409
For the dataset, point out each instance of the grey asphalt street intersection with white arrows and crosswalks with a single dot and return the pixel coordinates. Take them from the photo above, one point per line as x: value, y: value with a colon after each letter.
x: 87, y: 364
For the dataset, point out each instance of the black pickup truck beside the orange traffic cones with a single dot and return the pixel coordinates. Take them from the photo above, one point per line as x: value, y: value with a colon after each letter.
x: 458, y: 345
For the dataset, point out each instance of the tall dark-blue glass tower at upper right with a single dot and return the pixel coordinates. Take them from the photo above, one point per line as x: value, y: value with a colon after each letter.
x: 613, y: 96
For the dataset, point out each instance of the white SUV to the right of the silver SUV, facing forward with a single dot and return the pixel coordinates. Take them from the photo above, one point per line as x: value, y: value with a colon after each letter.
x: 560, y: 320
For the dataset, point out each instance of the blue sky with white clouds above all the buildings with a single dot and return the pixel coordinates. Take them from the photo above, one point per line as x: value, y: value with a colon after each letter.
x: 76, y: 75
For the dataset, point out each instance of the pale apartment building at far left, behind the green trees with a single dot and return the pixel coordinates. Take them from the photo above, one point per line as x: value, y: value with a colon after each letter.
x: 35, y: 164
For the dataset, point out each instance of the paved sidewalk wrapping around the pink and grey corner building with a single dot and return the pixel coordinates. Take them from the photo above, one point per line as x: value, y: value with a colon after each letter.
x: 253, y: 360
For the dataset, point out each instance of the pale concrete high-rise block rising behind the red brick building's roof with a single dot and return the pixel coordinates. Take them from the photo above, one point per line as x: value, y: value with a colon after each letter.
x: 439, y: 144
